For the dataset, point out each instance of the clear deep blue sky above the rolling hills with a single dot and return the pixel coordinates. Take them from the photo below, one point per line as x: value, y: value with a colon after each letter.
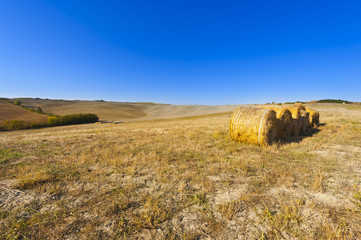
x: 181, y: 52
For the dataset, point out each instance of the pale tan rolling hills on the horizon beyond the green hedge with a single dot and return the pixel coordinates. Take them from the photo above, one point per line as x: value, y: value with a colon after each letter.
x: 114, y: 111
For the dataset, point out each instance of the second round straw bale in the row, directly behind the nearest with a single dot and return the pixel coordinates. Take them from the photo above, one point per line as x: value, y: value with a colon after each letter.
x: 285, y: 121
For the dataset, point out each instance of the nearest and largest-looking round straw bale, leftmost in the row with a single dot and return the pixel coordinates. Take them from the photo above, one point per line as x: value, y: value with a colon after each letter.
x: 254, y: 126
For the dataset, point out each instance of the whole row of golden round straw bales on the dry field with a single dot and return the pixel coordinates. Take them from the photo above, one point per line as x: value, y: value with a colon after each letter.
x: 265, y: 125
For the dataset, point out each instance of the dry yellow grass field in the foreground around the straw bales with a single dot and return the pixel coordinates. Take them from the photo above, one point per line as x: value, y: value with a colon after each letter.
x: 181, y: 179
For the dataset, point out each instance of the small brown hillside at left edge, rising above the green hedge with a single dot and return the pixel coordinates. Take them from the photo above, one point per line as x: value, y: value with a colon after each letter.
x: 9, y: 111
